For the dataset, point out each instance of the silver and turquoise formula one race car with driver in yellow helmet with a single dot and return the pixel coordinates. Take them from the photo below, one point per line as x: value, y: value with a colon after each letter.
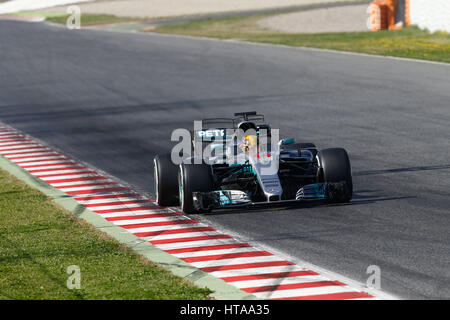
x: 250, y: 168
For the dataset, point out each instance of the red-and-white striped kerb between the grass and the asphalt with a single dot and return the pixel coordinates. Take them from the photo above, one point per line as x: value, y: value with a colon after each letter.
x: 255, y: 271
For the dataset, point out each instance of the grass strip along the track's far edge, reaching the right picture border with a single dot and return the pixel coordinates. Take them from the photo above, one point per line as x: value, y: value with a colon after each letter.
x: 409, y: 42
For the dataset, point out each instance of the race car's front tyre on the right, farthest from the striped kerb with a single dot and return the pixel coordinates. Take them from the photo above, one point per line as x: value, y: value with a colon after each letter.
x: 335, y: 169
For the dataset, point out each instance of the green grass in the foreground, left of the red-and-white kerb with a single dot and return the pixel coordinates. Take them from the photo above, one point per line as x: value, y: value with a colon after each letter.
x: 39, y: 240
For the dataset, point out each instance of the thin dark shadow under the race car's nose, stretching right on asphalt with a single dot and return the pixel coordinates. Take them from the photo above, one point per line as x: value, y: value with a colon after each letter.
x: 360, y: 197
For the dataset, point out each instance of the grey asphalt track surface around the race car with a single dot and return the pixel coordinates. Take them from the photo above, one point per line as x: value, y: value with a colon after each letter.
x: 113, y: 99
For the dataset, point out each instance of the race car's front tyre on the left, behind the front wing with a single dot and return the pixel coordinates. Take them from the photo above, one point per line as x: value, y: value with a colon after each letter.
x: 193, y: 178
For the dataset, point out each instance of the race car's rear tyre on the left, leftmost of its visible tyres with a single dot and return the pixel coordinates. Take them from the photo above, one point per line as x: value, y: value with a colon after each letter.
x: 166, y: 180
